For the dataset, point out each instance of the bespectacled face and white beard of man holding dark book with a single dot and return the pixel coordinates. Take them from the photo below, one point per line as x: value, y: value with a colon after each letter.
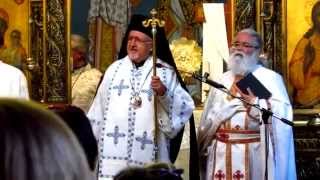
x: 244, y: 54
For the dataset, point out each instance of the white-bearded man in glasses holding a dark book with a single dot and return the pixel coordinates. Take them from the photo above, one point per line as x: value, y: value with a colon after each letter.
x: 231, y: 134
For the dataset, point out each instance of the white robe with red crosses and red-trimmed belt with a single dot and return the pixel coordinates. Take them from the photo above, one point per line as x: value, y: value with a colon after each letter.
x: 235, y: 147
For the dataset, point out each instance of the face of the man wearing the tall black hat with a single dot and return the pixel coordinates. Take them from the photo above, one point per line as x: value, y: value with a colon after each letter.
x: 139, y: 46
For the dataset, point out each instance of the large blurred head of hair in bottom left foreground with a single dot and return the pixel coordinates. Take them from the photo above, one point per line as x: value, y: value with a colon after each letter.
x: 35, y: 145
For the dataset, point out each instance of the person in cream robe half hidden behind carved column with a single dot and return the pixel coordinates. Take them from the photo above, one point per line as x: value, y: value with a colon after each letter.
x: 85, y: 79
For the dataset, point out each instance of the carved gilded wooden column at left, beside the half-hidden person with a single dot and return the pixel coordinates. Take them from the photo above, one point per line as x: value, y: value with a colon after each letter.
x: 50, y: 50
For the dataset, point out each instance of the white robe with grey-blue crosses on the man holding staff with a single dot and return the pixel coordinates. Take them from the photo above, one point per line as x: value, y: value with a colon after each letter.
x: 125, y: 131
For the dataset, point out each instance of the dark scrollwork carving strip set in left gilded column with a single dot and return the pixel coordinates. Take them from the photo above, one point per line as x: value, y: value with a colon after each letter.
x: 56, y: 52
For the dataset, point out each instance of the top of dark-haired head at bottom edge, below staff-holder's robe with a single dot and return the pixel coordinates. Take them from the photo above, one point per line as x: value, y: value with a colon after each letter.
x: 157, y: 171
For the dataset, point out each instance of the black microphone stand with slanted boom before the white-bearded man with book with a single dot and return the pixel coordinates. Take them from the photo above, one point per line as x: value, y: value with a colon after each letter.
x: 266, y: 113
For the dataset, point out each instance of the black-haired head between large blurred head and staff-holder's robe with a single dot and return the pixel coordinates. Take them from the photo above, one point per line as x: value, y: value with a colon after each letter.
x: 78, y: 122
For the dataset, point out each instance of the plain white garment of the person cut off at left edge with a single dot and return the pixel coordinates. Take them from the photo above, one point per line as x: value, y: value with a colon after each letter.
x: 13, y: 82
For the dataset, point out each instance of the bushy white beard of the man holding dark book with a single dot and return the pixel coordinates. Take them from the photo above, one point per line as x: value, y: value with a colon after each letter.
x: 241, y: 64
